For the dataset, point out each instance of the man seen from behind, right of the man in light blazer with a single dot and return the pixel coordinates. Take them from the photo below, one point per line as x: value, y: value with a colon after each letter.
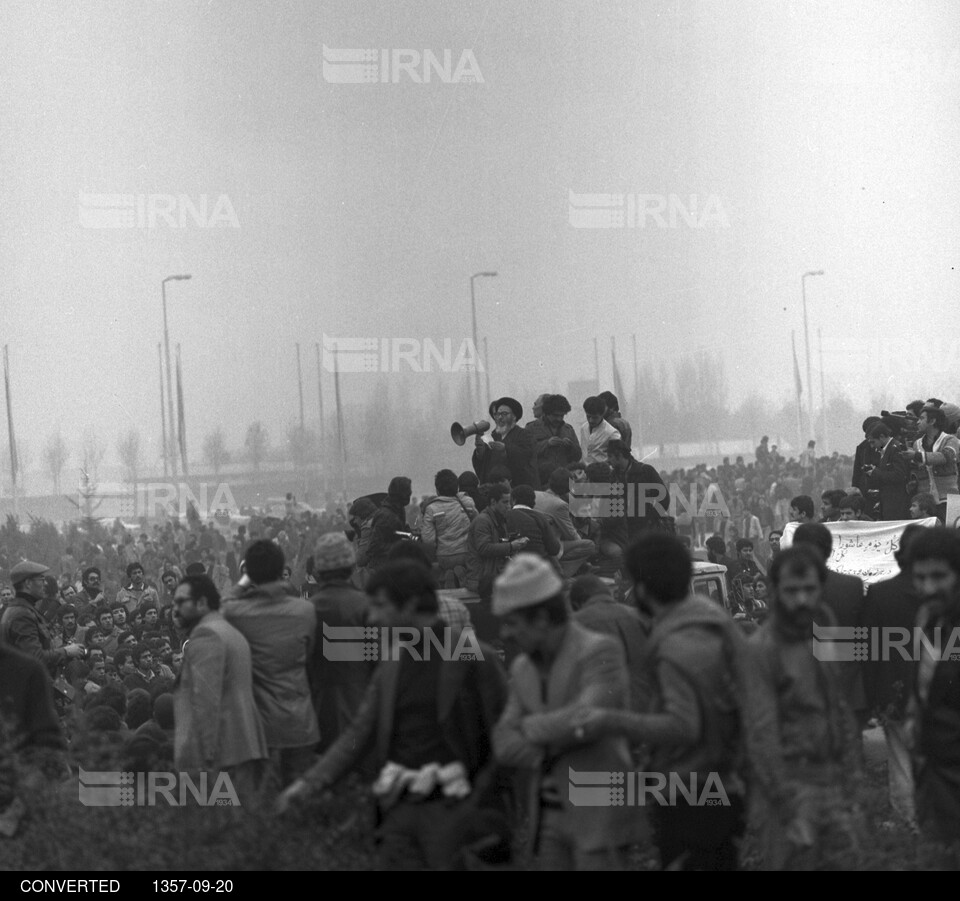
x: 280, y: 630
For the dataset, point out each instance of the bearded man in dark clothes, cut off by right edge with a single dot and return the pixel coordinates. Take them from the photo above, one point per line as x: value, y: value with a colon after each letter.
x: 935, y: 706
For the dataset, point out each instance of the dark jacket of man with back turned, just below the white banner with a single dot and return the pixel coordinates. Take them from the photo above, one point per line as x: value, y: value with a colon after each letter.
x: 888, y: 684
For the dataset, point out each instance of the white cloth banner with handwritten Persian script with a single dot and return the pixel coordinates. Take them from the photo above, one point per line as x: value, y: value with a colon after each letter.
x: 864, y: 549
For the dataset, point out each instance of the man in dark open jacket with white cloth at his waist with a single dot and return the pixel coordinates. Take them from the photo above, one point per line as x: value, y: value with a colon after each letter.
x: 429, y: 719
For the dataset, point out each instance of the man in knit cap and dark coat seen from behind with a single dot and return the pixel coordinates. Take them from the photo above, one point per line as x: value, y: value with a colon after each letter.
x: 337, y: 686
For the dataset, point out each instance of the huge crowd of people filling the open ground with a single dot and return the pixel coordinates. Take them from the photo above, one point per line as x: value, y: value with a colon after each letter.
x: 192, y: 647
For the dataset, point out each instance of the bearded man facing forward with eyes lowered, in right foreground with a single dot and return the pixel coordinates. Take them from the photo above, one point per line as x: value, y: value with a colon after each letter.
x: 802, y: 738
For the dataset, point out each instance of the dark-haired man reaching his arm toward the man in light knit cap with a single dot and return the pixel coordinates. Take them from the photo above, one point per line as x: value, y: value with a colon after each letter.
x: 693, y: 727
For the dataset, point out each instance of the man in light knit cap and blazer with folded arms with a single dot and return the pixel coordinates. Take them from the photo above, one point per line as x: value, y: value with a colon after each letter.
x: 563, y: 668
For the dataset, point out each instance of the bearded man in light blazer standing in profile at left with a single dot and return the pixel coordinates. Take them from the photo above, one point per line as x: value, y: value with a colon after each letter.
x: 218, y: 727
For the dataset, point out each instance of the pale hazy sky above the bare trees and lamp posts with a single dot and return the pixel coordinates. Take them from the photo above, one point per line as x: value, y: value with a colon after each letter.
x: 826, y: 132
